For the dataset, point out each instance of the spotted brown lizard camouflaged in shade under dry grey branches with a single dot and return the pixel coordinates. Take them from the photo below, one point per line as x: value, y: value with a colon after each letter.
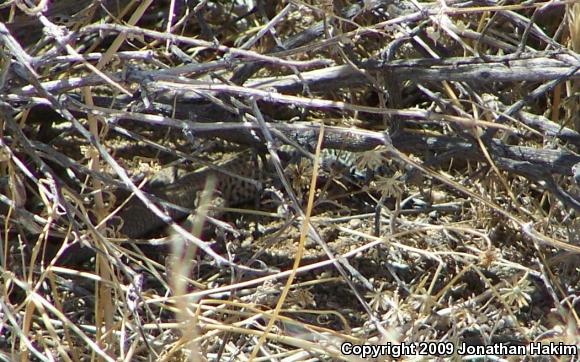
x: 238, y: 181
